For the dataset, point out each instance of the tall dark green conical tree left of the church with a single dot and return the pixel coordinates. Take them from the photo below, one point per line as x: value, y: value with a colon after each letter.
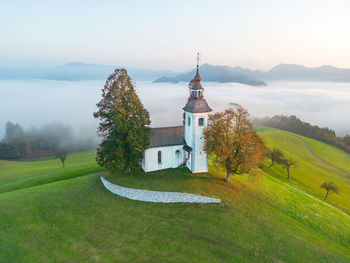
x: 124, y: 124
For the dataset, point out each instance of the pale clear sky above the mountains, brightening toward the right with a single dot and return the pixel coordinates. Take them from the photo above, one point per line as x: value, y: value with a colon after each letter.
x: 167, y: 34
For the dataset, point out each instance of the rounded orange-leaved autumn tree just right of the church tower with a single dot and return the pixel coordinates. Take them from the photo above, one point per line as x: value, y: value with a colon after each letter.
x: 231, y: 141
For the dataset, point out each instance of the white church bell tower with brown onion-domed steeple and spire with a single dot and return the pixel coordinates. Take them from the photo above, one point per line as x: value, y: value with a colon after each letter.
x: 196, y: 119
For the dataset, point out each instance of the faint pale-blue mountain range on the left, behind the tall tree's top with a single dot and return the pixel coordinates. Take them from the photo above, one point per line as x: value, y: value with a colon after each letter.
x: 78, y: 71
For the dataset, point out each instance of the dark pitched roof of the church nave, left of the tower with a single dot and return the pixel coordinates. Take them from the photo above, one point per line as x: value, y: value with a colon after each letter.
x: 167, y: 136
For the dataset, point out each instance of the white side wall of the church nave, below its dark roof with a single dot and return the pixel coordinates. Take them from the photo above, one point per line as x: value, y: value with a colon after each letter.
x: 169, y: 158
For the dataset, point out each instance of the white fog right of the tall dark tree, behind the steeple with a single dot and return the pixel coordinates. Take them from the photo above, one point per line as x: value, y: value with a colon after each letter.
x: 326, y: 104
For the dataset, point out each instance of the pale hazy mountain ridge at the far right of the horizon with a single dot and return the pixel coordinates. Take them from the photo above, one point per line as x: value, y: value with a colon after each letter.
x: 298, y: 72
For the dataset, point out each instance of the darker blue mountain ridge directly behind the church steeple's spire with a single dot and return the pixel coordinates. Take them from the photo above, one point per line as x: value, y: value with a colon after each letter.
x: 219, y: 74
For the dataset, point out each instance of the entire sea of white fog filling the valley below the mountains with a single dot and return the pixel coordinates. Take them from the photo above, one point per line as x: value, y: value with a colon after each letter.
x: 37, y: 102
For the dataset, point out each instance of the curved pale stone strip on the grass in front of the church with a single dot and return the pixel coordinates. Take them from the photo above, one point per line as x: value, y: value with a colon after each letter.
x: 156, y: 196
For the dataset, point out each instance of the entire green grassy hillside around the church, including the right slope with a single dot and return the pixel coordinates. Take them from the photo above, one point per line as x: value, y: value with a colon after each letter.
x: 51, y: 214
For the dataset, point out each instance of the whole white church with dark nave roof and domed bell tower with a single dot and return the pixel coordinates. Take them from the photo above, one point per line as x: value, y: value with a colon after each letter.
x: 172, y: 147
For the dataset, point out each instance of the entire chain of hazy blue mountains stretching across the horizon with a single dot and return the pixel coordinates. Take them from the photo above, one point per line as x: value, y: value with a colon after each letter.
x: 82, y: 71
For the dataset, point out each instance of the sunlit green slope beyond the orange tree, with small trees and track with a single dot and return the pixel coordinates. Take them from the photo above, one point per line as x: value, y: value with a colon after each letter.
x: 310, y: 172
